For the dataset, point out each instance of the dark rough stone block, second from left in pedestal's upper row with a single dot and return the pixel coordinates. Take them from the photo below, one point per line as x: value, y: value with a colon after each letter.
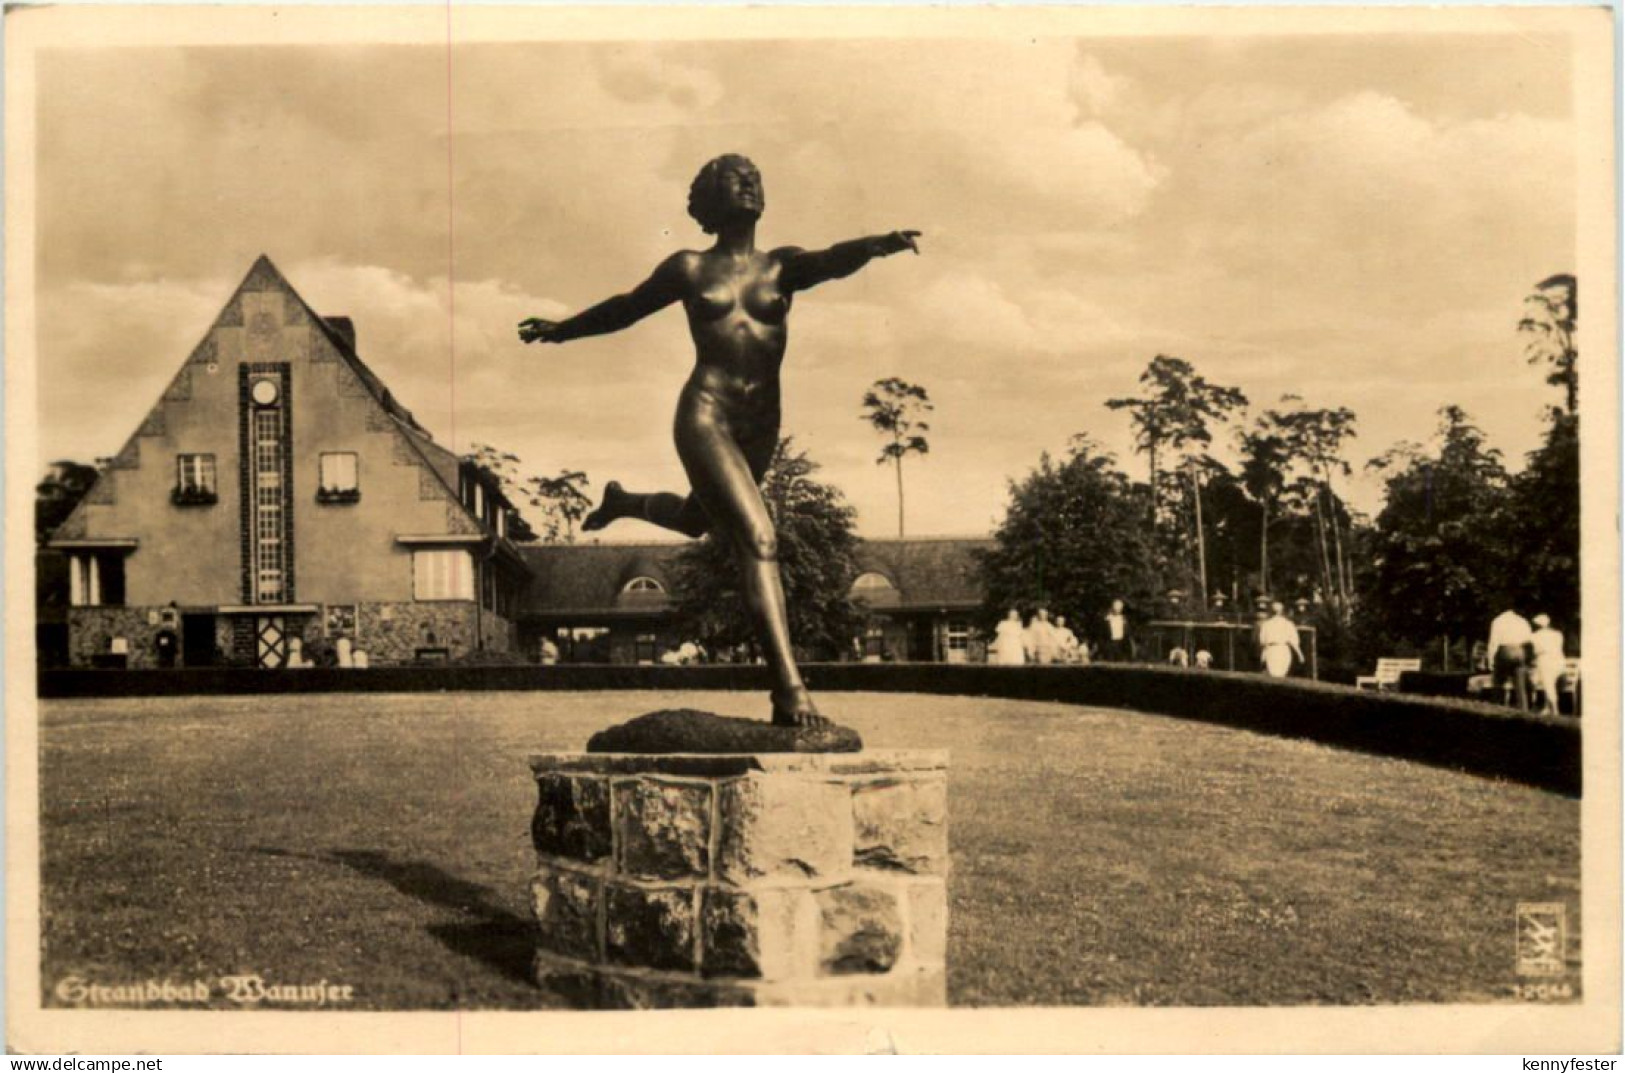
x: 664, y: 828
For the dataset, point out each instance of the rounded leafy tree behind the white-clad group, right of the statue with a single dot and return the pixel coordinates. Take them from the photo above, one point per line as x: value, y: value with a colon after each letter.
x: 1073, y: 539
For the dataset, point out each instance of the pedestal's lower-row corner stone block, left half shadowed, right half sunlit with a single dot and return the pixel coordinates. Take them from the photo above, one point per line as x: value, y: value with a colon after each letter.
x: 763, y: 934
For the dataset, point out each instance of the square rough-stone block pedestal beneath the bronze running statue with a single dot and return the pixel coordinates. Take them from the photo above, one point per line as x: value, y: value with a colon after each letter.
x: 755, y: 880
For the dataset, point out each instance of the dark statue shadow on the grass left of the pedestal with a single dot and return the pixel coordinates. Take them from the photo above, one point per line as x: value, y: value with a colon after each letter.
x: 493, y: 936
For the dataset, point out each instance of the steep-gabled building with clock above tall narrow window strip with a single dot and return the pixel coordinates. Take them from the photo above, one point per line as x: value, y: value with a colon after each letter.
x: 279, y: 500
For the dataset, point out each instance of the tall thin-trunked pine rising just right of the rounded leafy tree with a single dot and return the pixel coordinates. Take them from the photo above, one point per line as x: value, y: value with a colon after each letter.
x: 1179, y: 407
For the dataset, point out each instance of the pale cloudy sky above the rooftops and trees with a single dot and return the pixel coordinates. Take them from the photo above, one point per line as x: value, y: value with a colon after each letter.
x: 1351, y: 219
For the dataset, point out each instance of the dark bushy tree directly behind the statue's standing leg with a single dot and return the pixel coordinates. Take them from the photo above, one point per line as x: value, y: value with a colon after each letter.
x: 818, y: 562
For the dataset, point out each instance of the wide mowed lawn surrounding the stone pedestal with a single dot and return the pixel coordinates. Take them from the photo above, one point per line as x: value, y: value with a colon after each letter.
x: 1099, y: 858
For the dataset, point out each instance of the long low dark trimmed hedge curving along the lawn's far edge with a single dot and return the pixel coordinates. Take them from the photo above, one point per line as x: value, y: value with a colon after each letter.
x: 1462, y: 736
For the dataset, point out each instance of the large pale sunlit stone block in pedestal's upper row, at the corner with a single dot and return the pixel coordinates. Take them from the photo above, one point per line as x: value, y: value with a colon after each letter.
x: 784, y: 828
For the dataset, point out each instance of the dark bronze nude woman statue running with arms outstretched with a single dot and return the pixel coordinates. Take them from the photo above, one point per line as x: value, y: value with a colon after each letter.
x: 727, y: 425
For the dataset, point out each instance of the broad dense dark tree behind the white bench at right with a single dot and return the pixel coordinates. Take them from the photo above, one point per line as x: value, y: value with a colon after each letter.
x: 1441, y: 562
